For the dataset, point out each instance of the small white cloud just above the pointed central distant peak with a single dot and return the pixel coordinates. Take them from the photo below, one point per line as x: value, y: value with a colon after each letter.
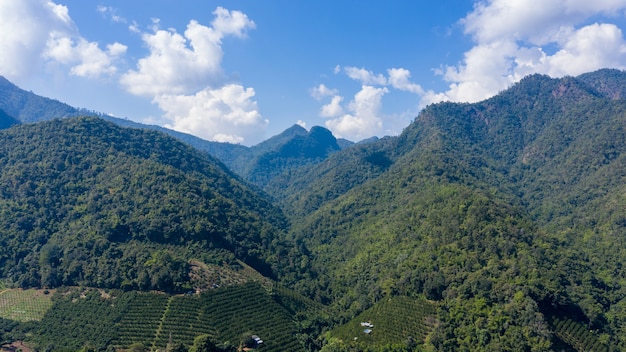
x: 364, y: 120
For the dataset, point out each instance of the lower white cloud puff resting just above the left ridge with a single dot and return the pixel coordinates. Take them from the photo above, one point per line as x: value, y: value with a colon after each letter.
x: 226, y: 114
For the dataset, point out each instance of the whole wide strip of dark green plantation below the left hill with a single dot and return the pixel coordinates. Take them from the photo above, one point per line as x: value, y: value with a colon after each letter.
x: 102, y: 319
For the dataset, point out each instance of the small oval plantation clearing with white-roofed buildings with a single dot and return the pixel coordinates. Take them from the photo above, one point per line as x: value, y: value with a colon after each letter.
x: 393, y: 320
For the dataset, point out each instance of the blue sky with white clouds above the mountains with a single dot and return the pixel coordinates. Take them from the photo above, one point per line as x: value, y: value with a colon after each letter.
x: 241, y: 71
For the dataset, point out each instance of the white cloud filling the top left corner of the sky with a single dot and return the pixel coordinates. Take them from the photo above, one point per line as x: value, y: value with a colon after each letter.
x: 36, y: 32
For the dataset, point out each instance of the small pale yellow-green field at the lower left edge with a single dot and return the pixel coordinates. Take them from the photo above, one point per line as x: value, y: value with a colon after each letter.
x: 24, y: 305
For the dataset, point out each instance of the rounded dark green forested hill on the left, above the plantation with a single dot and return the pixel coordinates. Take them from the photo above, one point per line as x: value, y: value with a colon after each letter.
x: 85, y: 202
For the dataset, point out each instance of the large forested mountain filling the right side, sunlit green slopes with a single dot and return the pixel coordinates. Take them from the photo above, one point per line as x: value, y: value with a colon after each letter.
x: 509, y: 211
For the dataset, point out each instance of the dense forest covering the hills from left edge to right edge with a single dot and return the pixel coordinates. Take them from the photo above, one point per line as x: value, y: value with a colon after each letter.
x: 506, y: 218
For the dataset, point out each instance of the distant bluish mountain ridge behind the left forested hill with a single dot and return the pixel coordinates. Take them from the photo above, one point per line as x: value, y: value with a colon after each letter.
x: 294, y: 147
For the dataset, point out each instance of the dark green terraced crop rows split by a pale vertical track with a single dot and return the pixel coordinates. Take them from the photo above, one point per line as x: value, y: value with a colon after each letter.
x: 230, y: 314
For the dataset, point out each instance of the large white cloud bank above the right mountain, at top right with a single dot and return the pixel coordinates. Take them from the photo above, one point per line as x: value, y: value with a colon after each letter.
x: 511, y: 38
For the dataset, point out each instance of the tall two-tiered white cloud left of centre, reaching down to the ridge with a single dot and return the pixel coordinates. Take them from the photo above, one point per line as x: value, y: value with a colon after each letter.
x: 183, y: 75
